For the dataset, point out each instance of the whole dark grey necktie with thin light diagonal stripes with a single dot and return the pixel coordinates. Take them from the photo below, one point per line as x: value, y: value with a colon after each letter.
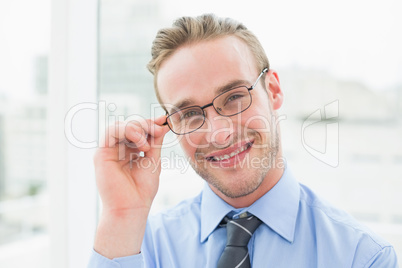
x: 239, y: 232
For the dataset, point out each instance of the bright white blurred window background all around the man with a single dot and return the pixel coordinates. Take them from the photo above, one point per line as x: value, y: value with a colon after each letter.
x: 55, y: 55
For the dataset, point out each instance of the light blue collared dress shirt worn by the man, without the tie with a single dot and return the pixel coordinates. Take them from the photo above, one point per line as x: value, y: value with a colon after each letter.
x: 299, y: 230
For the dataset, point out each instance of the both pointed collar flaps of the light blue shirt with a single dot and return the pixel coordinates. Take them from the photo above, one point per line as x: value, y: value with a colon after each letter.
x: 278, y: 208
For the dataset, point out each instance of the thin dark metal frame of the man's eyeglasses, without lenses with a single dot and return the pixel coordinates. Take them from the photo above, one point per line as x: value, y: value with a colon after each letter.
x: 265, y: 70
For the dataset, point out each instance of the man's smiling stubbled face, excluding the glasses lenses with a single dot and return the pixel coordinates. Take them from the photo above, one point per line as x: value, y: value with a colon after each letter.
x: 233, y: 154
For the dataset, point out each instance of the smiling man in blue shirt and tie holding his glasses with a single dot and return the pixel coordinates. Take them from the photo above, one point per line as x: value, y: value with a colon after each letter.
x: 213, y: 78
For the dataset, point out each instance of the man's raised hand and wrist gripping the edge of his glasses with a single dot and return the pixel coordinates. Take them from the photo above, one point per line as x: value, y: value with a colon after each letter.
x: 127, y: 174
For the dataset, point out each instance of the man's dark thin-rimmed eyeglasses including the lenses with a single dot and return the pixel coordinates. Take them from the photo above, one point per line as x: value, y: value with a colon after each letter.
x: 228, y: 103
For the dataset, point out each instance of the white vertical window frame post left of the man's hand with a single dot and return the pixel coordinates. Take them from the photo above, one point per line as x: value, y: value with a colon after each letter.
x: 72, y: 80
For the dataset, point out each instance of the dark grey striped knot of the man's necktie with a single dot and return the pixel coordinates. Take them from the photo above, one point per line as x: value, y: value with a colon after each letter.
x: 239, y: 231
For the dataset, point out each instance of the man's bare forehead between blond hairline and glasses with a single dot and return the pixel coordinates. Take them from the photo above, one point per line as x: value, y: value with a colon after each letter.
x: 196, y: 70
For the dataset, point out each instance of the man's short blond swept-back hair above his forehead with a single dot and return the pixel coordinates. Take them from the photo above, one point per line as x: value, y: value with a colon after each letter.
x: 187, y: 30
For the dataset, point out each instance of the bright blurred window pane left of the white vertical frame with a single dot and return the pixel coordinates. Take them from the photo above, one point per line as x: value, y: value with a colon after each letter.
x: 24, y: 199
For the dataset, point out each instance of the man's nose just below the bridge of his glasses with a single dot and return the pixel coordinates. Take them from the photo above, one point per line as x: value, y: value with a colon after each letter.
x: 220, y: 128
